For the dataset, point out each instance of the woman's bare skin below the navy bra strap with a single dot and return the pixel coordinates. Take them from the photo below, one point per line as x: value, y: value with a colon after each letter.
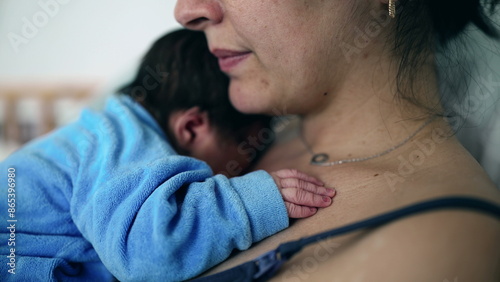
x: 437, y: 246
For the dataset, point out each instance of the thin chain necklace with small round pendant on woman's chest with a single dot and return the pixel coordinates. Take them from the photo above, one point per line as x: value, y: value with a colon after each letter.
x: 321, y: 159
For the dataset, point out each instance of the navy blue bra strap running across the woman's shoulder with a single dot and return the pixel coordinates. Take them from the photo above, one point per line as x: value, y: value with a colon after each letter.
x: 265, y: 266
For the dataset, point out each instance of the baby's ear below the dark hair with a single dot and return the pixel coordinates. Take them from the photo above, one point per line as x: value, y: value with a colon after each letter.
x: 189, y: 126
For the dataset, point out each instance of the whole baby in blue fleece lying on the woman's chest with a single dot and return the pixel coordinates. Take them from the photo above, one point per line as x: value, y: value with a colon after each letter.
x: 130, y: 191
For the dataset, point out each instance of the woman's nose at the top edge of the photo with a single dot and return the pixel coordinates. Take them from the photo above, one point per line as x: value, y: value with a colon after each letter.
x: 198, y: 14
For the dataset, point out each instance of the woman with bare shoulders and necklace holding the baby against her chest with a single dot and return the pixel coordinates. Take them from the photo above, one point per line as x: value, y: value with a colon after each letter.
x: 365, y: 86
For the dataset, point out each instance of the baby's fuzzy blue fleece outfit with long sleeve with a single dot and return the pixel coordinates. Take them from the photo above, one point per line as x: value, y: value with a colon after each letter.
x: 108, y: 196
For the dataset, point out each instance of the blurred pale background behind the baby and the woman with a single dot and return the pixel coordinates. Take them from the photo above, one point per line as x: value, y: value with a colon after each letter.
x: 58, y: 56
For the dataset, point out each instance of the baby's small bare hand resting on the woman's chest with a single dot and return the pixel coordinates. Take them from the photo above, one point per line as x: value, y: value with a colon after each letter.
x: 302, y: 193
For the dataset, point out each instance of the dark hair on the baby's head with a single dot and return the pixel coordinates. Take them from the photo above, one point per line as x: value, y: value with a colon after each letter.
x: 177, y: 73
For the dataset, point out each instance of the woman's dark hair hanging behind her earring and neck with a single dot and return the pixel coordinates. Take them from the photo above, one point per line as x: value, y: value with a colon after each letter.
x: 424, y: 27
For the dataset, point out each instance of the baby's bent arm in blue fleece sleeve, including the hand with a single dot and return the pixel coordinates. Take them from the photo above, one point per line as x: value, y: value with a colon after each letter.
x: 152, y: 215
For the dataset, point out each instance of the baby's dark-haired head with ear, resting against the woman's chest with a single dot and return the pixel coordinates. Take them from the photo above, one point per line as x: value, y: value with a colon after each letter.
x: 179, y: 82
